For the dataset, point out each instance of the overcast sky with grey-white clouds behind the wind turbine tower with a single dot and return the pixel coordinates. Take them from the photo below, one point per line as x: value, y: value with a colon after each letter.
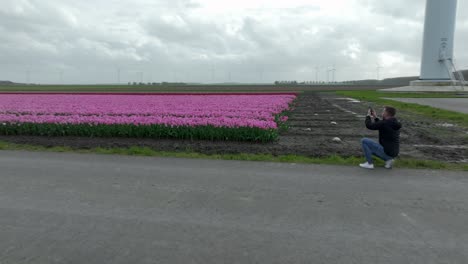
x: 98, y: 41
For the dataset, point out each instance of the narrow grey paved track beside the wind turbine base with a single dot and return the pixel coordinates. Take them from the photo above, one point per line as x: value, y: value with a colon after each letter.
x: 453, y: 104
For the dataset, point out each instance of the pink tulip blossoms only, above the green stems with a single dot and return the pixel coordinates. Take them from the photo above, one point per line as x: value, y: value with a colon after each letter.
x: 257, y: 111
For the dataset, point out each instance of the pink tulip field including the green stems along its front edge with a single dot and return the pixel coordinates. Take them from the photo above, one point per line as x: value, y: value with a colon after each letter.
x: 240, y: 117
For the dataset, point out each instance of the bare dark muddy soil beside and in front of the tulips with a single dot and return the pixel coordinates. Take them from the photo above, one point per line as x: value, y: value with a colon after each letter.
x: 317, y: 119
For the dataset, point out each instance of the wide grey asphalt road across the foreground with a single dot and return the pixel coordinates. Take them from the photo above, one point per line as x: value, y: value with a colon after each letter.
x: 72, y: 208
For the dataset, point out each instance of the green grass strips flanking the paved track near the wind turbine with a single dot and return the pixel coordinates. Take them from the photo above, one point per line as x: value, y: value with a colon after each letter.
x: 435, y: 113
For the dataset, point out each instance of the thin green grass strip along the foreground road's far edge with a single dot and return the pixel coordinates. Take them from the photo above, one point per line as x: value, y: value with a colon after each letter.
x: 148, y: 152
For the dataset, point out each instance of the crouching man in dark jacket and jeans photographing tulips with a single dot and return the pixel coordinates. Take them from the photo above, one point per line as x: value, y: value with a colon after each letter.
x: 388, y: 146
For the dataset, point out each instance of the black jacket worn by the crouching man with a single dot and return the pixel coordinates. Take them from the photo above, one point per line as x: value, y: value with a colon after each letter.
x: 389, y: 134
